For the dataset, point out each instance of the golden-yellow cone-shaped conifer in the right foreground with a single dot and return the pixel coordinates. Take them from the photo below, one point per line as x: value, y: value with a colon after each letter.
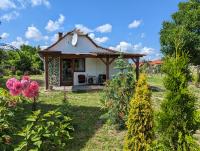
x: 140, y: 119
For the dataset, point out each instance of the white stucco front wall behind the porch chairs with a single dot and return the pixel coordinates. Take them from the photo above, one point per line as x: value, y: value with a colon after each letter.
x: 94, y: 67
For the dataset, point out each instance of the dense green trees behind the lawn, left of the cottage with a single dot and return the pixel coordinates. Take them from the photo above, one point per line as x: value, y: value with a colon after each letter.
x: 26, y: 59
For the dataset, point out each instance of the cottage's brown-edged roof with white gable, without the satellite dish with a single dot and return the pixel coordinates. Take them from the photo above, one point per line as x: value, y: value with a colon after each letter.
x: 85, y: 46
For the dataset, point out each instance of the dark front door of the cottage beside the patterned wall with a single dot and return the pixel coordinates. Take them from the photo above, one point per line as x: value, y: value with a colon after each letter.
x: 67, y: 72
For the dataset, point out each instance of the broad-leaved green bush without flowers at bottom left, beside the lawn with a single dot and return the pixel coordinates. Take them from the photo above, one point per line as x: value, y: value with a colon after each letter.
x: 49, y: 131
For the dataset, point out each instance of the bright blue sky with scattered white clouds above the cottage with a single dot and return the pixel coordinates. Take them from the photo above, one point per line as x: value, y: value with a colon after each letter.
x: 126, y: 25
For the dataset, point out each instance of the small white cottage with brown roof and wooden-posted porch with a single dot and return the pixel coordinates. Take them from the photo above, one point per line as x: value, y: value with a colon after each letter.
x: 75, y: 59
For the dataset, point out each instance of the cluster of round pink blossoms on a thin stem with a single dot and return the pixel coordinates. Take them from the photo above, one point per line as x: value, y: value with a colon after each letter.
x: 25, y: 87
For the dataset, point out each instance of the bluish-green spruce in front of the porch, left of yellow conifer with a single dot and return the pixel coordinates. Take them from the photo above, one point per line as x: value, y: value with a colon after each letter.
x: 118, y: 92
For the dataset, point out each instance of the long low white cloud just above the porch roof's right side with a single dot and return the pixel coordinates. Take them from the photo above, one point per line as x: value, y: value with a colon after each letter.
x: 135, y: 48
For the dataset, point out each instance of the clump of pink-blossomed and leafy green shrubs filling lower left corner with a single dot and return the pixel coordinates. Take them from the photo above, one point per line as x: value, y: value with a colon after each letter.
x: 40, y: 131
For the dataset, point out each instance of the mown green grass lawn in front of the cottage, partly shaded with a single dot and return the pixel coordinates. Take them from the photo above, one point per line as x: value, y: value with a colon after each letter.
x: 91, y: 132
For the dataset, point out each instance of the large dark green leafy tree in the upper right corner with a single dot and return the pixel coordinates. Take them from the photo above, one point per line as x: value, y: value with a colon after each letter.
x: 186, y: 18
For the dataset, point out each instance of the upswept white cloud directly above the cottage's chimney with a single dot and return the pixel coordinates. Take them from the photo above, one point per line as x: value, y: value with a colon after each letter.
x: 55, y: 25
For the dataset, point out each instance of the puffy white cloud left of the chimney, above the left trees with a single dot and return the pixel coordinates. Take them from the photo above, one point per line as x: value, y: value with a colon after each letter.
x: 34, y: 33
